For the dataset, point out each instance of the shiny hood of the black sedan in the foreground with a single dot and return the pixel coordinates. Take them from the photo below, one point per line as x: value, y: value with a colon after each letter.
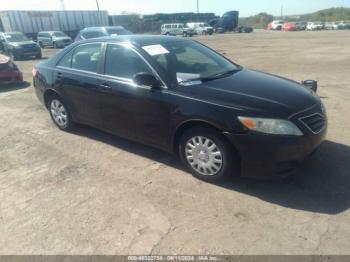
x: 263, y: 94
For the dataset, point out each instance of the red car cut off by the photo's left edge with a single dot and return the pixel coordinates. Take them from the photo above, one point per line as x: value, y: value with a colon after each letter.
x: 9, y: 72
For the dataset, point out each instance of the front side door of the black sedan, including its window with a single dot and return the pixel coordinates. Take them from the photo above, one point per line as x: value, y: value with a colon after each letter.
x: 129, y: 110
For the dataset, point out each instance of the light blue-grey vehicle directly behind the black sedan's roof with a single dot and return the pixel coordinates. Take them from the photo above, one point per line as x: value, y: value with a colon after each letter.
x: 94, y: 32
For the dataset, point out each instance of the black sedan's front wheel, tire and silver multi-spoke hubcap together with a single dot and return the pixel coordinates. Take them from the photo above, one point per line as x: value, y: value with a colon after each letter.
x: 207, y: 154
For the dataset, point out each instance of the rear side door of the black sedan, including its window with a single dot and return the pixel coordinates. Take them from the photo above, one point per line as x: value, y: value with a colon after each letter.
x: 77, y: 79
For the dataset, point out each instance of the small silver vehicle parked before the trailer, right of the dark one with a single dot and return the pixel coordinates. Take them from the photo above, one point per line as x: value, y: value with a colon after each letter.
x: 56, y: 39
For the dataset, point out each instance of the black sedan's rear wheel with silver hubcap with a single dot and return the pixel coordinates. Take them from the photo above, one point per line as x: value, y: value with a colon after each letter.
x: 60, y: 114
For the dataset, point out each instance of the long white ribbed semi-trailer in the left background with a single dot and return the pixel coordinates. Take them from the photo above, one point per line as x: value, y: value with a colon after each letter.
x: 32, y: 22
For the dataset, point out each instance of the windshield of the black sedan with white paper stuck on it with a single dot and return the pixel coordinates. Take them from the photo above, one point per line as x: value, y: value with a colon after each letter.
x: 189, y: 62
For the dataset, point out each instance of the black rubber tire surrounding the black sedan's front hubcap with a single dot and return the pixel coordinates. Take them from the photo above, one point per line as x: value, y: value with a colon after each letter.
x: 230, y: 162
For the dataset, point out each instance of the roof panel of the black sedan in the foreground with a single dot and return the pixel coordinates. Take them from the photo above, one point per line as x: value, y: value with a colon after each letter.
x: 138, y: 40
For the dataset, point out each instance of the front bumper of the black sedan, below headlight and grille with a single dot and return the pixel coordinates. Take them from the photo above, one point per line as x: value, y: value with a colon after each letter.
x: 269, y: 156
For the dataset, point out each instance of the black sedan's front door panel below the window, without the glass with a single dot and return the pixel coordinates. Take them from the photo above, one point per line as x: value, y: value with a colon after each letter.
x: 135, y: 112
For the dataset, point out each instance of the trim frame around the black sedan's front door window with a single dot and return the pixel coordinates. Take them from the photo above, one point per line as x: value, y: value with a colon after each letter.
x: 129, y: 80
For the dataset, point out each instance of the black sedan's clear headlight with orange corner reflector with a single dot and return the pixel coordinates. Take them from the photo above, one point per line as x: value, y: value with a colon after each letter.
x: 271, y: 126
